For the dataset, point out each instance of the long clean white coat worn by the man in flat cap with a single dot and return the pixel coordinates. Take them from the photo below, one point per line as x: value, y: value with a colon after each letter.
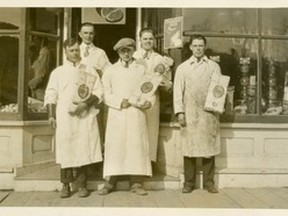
x: 126, y: 140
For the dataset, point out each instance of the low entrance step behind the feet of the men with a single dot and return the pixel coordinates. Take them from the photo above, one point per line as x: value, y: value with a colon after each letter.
x: 47, y: 179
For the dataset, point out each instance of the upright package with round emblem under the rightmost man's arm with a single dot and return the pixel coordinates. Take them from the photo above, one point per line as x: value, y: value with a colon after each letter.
x: 217, y: 92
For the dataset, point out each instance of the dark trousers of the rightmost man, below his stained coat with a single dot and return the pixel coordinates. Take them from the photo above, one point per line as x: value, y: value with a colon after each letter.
x: 208, y: 165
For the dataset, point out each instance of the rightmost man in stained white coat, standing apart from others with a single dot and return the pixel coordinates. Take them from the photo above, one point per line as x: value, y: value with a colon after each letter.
x: 200, y: 129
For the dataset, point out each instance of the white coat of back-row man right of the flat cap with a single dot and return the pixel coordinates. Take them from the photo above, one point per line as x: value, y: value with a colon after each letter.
x: 153, y: 114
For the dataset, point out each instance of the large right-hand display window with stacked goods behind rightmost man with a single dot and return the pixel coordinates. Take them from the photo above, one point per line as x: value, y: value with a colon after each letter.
x: 250, y: 45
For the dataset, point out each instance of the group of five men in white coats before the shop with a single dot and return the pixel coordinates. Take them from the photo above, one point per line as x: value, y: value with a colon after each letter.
x: 131, y: 135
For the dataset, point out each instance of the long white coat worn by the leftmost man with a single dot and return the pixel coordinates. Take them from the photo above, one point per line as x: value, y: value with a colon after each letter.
x: 77, y: 139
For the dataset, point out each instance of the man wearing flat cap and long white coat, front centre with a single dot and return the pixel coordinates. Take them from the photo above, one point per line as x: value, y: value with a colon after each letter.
x: 126, y: 141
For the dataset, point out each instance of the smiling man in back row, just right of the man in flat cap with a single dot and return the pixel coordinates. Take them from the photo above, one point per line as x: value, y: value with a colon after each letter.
x: 151, y: 60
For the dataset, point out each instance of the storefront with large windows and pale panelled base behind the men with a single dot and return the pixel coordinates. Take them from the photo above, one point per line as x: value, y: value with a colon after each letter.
x: 249, y: 44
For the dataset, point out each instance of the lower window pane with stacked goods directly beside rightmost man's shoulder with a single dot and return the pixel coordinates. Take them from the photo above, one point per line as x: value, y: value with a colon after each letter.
x: 237, y: 58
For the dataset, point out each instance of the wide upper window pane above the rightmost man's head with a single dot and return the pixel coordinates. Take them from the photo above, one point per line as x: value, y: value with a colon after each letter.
x: 241, y: 21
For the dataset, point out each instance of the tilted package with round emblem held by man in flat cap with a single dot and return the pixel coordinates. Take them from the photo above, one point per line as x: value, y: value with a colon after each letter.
x: 147, y: 86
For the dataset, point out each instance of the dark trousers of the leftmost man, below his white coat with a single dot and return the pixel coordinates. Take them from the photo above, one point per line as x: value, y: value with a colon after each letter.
x: 66, y: 176
